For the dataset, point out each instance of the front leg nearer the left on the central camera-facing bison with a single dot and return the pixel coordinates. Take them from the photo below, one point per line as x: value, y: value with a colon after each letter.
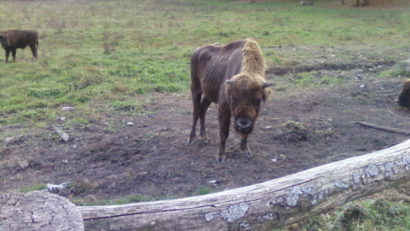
x: 224, y: 117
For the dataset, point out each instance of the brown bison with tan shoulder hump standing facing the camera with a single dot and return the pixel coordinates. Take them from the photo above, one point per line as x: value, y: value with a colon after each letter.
x: 232, y: 76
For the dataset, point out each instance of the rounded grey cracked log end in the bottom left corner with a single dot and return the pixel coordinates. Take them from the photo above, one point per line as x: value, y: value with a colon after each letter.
x: 38, y: 211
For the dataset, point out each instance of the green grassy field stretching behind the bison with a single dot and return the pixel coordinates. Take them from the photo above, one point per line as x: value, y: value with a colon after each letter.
x: 97, y: 55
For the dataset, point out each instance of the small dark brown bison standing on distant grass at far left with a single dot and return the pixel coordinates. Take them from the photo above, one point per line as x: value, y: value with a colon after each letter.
x: 12, y: 39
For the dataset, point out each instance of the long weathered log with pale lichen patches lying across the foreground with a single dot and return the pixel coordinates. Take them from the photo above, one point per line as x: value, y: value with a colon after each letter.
x: 262, y: 206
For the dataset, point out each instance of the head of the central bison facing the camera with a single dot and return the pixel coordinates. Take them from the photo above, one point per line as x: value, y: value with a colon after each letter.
x: 245, y: 94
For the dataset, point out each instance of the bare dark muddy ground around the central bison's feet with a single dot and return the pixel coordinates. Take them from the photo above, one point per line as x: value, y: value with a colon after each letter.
x: 299, y: 128
